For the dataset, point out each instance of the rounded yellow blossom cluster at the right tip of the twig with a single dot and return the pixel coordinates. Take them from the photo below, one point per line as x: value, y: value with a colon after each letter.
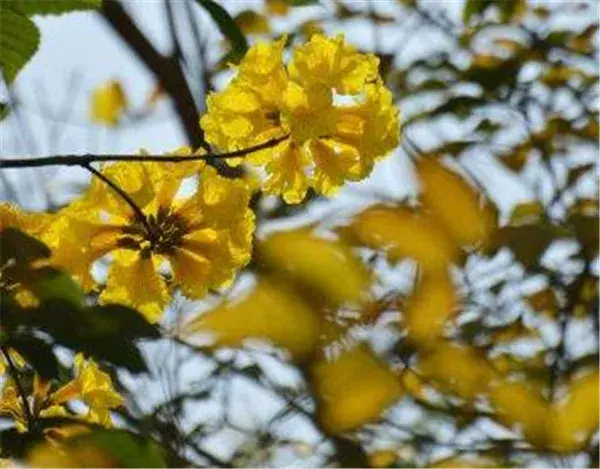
x: 329, y: 100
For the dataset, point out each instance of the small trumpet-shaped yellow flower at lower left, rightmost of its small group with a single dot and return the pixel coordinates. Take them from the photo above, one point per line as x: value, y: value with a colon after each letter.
x: 94, y: 387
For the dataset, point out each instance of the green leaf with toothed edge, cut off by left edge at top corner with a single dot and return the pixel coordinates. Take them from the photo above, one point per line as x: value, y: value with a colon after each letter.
x: 19, y: 40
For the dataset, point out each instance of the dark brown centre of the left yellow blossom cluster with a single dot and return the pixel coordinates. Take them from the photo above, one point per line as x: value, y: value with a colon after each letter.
x: 160, y: 234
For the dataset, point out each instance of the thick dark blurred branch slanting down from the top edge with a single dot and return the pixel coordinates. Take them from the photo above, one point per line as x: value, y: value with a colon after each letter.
x: 166, y: 69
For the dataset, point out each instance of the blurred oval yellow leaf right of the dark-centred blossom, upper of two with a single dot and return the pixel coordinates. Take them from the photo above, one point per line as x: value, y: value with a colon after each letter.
x: 326, y: 268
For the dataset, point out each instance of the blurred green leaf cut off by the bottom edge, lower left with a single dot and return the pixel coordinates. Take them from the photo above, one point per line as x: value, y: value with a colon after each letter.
x: 128, y: 449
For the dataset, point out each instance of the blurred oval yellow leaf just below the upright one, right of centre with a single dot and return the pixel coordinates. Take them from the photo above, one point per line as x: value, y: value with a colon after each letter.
x: 456, y: 369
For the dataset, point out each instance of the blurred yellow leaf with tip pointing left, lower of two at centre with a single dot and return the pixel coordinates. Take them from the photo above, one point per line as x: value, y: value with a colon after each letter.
x: 270, y: 312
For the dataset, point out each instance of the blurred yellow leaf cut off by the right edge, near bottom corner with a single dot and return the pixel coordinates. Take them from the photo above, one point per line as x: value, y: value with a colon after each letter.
x: 575, y: 418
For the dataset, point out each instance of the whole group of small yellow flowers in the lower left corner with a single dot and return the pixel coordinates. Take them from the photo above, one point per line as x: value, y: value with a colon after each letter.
x: 90, y: 385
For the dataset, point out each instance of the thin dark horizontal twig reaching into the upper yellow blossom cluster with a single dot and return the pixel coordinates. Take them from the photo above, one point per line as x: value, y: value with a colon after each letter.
x: 87, y: 159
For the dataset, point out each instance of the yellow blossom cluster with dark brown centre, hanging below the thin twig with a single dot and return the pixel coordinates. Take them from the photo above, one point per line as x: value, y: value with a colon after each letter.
x: 201, y: 239
